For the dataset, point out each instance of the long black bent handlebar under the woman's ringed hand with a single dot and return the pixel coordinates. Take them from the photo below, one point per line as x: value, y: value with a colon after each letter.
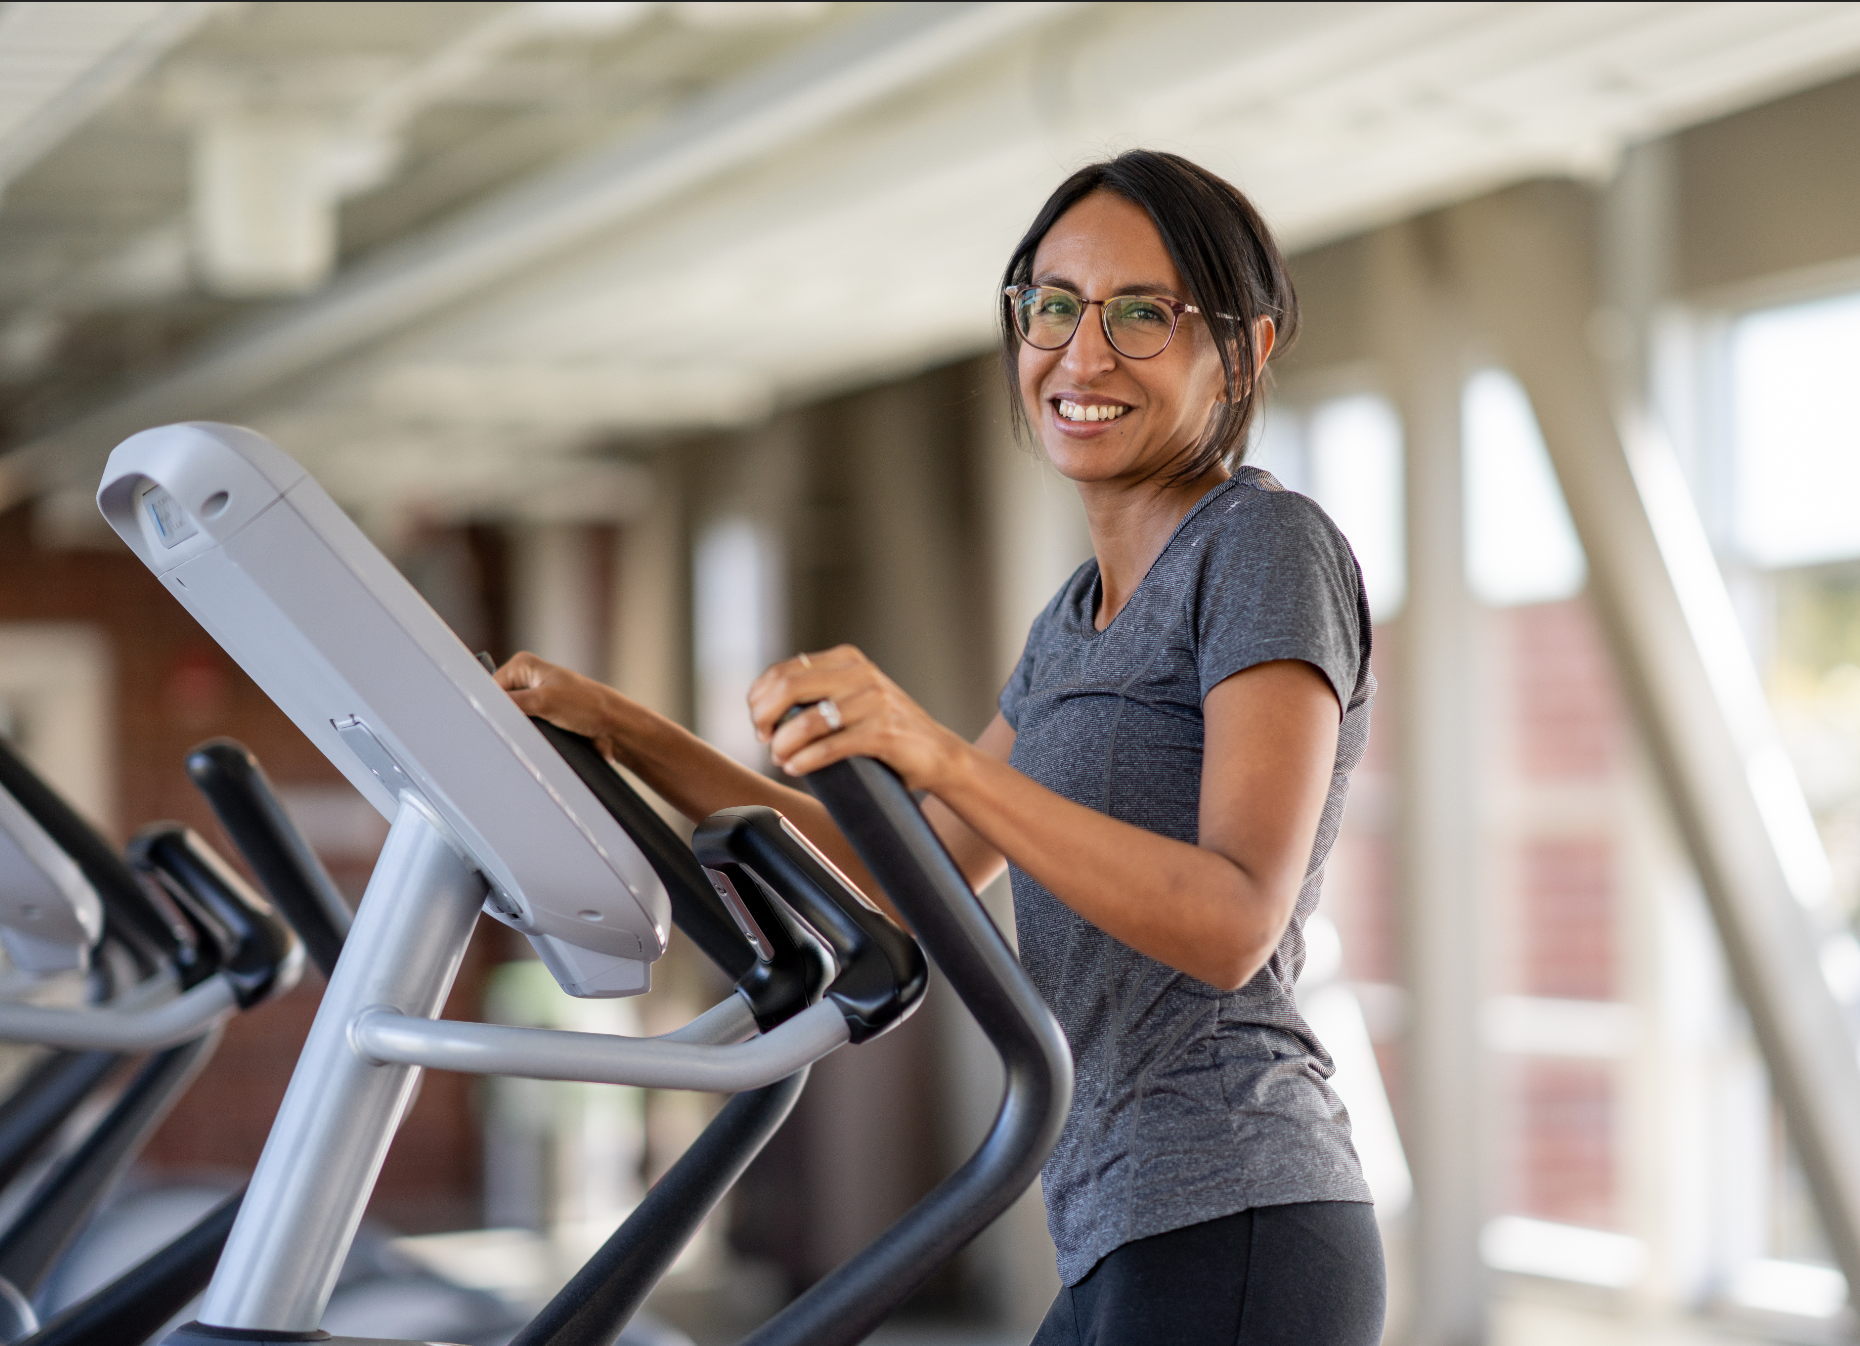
x: 897, y: 845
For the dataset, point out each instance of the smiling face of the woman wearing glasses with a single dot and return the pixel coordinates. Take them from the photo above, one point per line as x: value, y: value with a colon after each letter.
x: 1102, y: 248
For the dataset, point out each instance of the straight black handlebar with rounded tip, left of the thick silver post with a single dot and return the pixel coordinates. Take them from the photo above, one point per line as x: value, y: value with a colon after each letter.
x: 246, y: 806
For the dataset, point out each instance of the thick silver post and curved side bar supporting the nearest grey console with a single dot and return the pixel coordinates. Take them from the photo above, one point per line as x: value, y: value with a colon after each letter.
x: 379, y: 1025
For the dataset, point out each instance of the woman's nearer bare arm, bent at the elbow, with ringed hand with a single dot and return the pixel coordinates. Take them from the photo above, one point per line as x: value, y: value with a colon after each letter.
x: 1214, y: 910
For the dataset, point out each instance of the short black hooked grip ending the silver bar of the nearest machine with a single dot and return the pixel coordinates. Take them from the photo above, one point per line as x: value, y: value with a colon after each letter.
x: 883, y: 973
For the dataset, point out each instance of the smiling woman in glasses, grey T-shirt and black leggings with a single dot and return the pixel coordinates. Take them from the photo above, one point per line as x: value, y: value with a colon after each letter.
x: 1163, y: 780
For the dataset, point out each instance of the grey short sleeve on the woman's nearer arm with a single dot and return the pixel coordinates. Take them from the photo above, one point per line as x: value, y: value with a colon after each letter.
x: 1279, y: 581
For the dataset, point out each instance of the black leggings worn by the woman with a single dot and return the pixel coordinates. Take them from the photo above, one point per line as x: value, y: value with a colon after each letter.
x: 1309, y: 1274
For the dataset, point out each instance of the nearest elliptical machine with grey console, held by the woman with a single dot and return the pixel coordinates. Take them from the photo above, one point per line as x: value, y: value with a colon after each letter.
x: 499, y: 813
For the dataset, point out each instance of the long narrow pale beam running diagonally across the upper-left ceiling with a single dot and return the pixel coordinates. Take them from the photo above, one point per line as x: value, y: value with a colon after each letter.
x: 825, y: 81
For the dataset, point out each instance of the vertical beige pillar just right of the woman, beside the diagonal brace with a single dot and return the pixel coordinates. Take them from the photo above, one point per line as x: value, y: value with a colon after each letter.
x: 1422, y: 345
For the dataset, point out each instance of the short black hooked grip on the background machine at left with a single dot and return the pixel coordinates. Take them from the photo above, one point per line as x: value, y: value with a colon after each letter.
x: 259, y: 953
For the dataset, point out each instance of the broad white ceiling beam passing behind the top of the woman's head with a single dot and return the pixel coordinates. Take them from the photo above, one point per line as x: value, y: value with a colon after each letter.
x: 916, y: 215
